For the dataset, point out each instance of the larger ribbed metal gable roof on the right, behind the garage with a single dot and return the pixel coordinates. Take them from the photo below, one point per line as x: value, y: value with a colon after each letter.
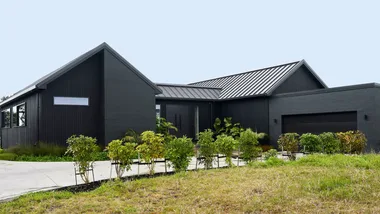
x: 260, y: 82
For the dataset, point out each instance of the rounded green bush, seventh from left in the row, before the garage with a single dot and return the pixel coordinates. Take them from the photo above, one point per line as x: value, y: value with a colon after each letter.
x: 249, y: 145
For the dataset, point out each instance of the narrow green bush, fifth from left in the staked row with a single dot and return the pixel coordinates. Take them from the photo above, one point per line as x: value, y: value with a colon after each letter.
x: 207, y: 147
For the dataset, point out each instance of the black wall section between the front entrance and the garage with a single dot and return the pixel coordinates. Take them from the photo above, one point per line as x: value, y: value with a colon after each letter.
x: 250, y: 113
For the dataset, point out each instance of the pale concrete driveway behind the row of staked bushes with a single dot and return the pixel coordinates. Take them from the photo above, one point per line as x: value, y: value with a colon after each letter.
x: 18, y: 178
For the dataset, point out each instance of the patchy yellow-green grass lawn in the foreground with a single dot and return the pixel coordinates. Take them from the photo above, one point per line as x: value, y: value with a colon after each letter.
x: 327, y: 184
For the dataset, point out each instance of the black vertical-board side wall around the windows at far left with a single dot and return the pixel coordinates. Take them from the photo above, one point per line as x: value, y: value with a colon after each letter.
x: 26, y: 135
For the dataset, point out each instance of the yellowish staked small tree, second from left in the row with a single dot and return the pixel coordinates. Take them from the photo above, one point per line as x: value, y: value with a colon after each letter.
x: 122, y: 154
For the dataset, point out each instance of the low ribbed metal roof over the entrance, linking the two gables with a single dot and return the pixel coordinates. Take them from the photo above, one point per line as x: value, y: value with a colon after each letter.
x: 183, y: 92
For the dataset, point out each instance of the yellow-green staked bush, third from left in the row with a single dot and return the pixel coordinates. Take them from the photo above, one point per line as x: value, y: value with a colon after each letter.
x: 152, y: 148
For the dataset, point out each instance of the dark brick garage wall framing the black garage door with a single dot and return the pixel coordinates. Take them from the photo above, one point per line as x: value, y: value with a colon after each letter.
x: 362, y: 101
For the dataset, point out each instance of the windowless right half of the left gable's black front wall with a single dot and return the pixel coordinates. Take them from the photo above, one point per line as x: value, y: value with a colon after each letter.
x: 129, y: 102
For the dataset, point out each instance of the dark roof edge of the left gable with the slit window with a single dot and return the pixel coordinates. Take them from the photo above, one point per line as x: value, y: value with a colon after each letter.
x: 43, y: 81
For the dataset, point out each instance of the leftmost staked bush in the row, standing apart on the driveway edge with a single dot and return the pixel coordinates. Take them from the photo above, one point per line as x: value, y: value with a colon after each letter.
x: 84, y: 151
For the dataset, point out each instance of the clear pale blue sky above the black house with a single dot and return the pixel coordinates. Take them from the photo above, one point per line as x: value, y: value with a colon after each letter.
x: 183, y: 42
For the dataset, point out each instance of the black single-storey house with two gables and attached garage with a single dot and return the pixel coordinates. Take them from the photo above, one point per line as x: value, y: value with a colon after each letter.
x: 100, y: 94
